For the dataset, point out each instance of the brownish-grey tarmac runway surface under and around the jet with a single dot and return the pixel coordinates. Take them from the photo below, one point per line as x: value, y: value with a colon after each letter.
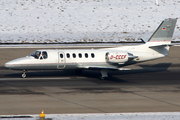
x: 152, y: 86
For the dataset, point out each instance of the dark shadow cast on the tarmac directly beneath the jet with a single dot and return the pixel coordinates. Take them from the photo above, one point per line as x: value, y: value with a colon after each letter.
x: 95, y: 74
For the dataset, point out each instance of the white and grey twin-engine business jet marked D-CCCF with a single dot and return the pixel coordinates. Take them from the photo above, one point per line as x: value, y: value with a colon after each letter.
x: 100, y: 59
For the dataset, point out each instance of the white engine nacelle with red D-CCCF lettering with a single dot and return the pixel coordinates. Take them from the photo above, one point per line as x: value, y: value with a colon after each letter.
x: 116, y: 57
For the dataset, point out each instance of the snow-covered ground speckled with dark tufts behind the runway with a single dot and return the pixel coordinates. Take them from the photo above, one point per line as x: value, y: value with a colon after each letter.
x: 63, y: 21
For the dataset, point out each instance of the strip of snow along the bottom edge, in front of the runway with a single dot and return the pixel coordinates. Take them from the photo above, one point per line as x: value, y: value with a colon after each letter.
x: 101, y: 116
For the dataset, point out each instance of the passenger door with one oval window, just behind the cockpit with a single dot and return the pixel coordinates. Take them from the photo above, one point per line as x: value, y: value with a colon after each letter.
x: 61, y: 60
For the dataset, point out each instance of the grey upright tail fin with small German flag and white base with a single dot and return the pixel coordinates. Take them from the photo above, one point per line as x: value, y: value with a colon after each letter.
x: 164, y: 32
